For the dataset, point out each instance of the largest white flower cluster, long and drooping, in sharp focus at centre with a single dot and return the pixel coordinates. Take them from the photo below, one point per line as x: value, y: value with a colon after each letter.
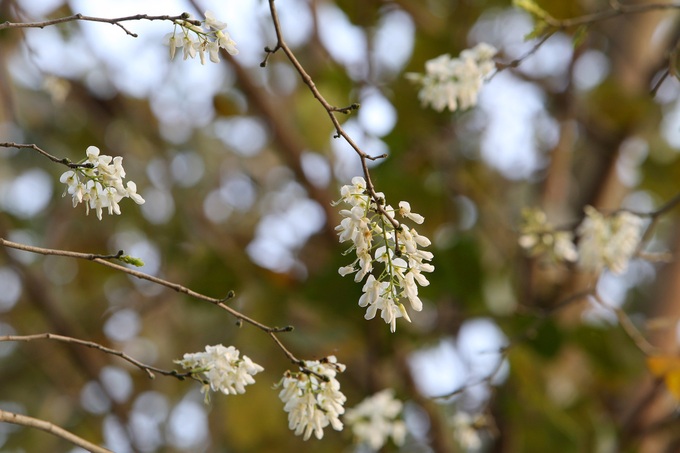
x: 397, y: 253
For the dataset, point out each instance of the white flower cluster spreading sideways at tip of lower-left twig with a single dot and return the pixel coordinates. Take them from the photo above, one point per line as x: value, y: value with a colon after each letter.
x: 222, y: 369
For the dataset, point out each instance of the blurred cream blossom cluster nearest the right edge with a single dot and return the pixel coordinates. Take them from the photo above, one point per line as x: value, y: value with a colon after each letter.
x: 608, y: 241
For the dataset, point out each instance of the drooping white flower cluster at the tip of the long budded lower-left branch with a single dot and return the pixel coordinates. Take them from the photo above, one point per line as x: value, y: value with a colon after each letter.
x: 313, y: 403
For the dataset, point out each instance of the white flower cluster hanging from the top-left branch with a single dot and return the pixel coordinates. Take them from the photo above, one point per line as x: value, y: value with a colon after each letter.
x: 197, y: 40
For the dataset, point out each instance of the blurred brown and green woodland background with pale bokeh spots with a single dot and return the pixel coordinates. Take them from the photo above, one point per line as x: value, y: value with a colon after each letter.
x: 238, y: 166
